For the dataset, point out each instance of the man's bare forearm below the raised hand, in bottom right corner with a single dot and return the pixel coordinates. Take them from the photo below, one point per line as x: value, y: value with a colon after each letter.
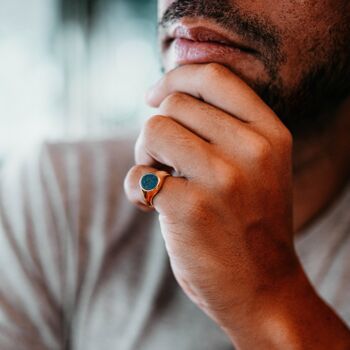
x: 295, y: 318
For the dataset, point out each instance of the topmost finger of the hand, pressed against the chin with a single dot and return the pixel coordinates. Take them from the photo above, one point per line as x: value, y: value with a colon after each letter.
x: 218, y: 86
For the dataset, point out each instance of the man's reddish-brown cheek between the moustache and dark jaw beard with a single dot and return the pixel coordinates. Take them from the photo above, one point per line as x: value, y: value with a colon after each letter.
x: 306, y: 38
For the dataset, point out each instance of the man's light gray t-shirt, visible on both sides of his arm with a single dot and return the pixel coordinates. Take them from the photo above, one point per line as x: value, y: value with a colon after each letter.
x: 83, y: 269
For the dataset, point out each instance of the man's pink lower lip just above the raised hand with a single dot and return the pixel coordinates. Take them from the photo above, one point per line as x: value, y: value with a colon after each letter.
x: 187, y: 51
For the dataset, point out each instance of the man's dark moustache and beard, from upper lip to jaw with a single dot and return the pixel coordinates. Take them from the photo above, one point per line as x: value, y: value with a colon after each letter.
x: 308, y: 108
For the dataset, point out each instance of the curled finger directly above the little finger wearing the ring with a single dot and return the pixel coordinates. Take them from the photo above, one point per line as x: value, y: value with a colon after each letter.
x: 165, y: 141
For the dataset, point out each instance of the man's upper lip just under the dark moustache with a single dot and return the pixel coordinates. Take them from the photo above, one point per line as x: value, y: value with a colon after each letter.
x: 200, y: 33
